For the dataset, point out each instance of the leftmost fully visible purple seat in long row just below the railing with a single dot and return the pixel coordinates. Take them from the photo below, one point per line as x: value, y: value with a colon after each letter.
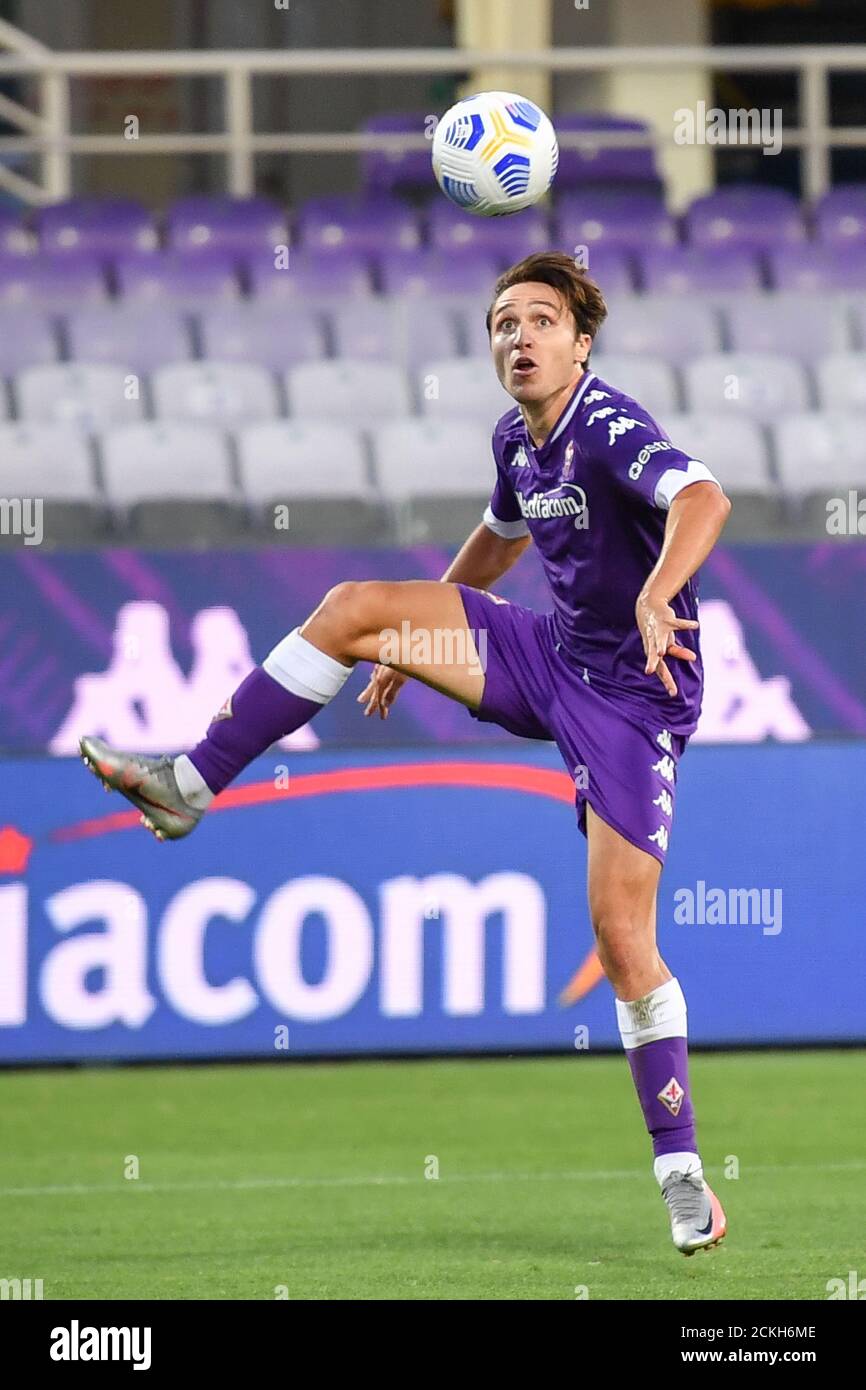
x: 101, y: 226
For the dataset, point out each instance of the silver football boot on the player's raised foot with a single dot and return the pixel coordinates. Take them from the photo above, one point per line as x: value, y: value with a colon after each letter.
x: 149, y: 783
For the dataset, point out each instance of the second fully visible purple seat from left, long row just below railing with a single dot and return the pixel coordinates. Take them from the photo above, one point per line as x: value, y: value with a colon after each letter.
x: 231, y: 224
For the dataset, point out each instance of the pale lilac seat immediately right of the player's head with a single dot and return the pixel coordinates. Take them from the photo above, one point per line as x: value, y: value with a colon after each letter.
x: 661, y: 326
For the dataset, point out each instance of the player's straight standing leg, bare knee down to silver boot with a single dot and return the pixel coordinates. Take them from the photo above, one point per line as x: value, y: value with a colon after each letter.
x: 653, y: 1020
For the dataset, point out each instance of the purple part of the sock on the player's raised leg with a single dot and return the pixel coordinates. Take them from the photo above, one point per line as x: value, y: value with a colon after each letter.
x: 261, y: 712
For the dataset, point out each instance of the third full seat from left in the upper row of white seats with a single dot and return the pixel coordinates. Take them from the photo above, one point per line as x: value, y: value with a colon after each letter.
x: 359, y: 394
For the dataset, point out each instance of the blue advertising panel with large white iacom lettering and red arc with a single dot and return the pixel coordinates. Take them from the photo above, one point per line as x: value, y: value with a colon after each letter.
x: 419, y: 901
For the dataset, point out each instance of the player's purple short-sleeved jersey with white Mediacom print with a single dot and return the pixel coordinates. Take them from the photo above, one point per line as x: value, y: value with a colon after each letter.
x: 596, y: 498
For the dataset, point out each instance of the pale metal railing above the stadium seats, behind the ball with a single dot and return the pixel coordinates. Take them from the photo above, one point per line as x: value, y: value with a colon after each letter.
x: 47, y: 133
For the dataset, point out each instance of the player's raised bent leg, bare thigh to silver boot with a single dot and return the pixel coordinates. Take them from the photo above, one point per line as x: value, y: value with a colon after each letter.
x: 419, y: 628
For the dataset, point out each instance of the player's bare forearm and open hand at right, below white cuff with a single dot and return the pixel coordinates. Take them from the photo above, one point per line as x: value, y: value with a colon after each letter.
x: 694, y: 525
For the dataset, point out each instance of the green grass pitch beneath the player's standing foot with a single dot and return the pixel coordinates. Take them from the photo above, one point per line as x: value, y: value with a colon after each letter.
x: 309, y: 1181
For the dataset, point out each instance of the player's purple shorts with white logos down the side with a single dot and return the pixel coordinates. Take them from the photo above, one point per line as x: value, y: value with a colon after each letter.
x: 626, y: 769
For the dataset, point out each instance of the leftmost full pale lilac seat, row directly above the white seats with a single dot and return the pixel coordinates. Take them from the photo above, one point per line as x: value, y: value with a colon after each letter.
x: 141, y: 337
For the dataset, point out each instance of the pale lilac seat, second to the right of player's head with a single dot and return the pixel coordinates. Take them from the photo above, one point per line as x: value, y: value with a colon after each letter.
x: 799, y: 326
